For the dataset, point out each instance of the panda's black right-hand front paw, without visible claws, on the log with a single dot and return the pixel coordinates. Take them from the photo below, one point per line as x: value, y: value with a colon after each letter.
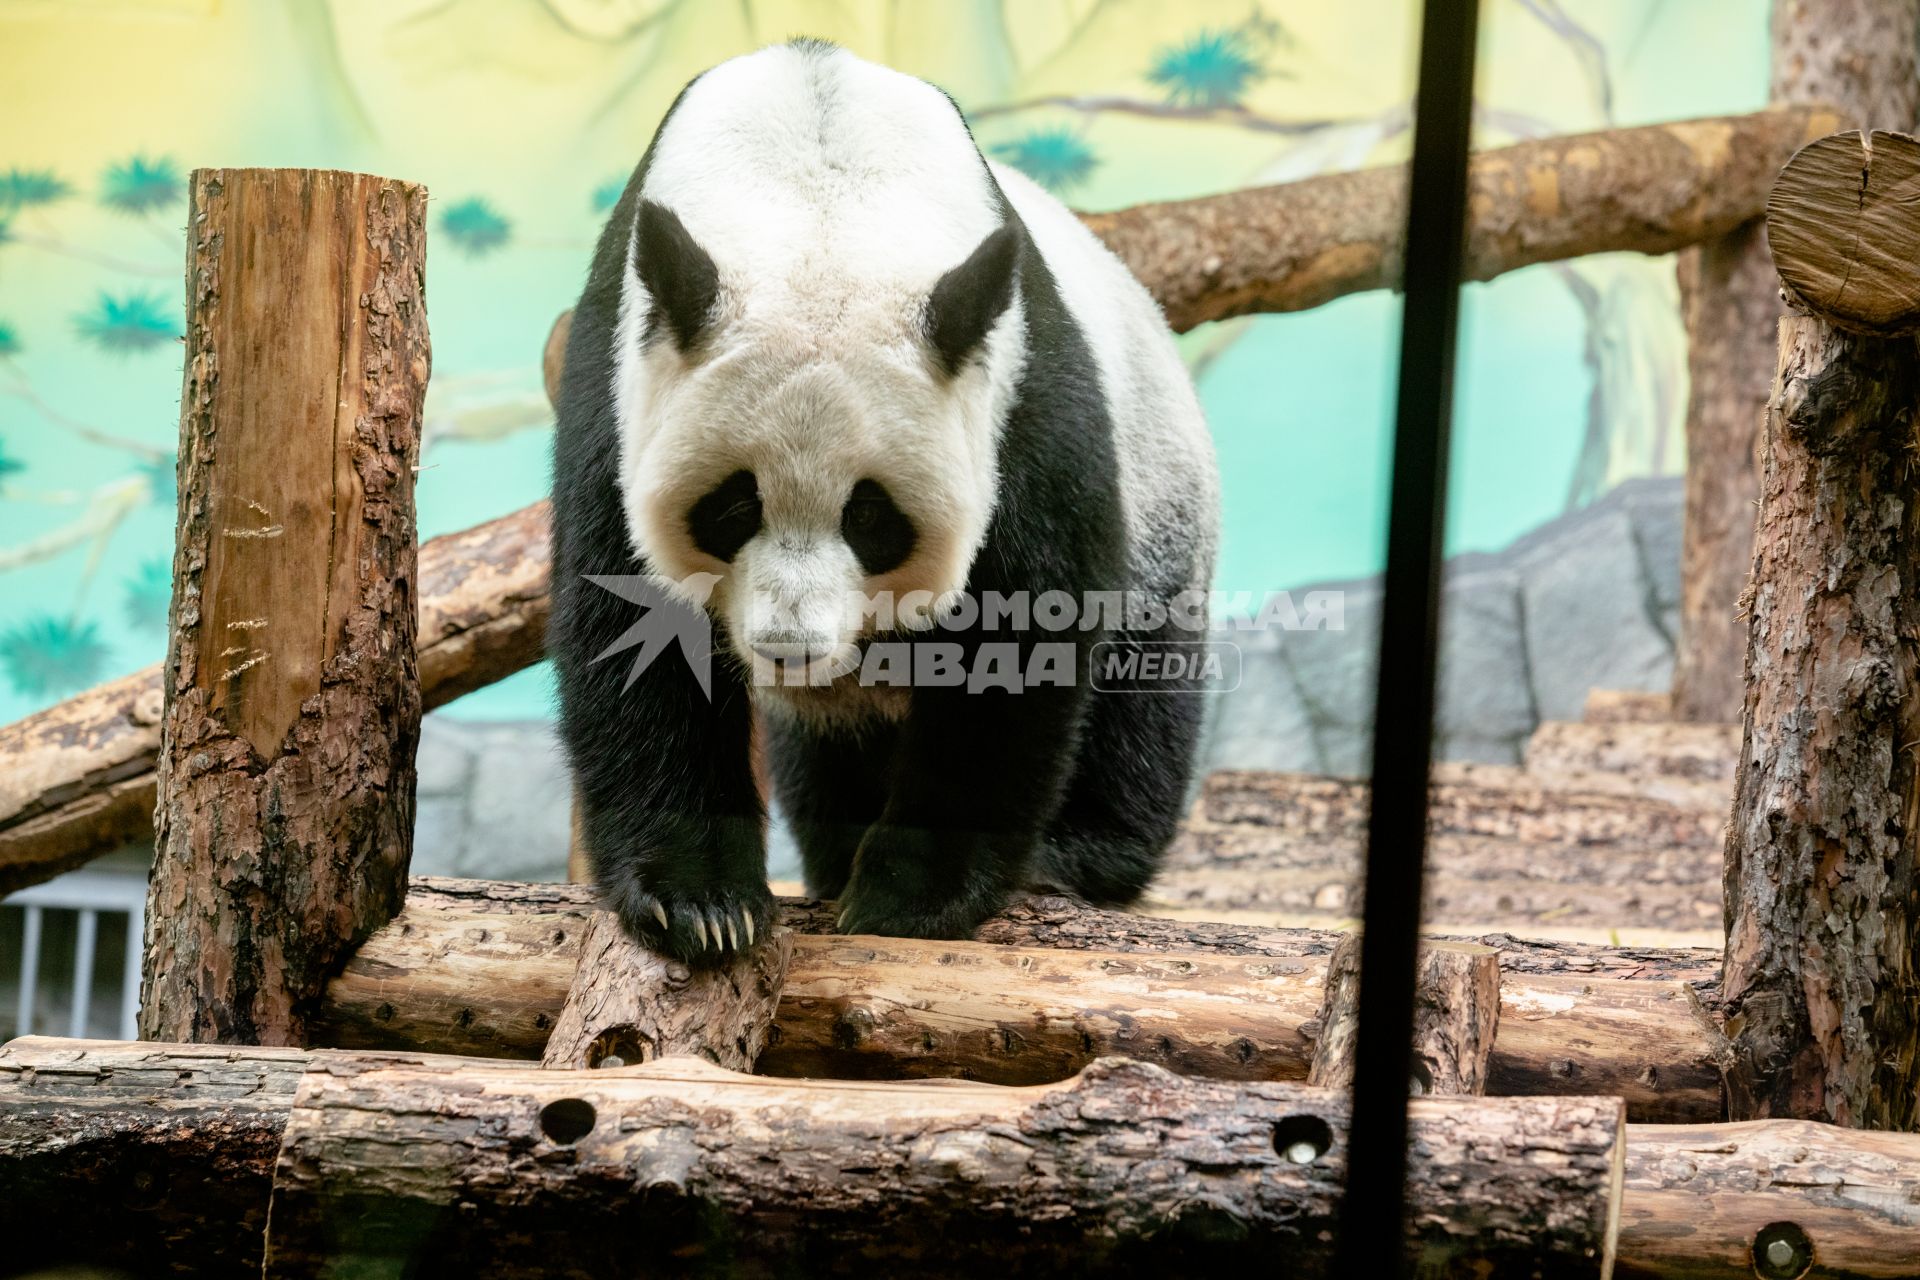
x: 913, y: 884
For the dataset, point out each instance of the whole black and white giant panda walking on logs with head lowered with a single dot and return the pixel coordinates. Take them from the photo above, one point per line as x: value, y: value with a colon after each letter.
x: 828, y: 350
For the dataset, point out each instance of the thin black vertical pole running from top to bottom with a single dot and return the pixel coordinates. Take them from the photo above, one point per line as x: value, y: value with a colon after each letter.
x: 1372, y: 1241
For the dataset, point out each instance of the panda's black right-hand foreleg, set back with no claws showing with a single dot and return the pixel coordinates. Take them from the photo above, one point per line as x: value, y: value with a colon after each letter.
x: 978, y: 778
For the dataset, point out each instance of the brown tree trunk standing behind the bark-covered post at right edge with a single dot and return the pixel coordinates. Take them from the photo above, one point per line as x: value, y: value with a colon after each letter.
x: 1860, y: 59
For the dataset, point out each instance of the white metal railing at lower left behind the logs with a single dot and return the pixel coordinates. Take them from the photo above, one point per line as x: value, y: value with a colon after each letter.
x: 95, y: 897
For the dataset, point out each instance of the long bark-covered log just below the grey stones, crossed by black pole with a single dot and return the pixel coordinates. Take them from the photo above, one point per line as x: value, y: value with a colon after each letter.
x: 1485, y: 801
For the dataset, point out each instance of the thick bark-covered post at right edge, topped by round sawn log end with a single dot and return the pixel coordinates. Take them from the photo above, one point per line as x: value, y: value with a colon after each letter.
x: 1823, y: 895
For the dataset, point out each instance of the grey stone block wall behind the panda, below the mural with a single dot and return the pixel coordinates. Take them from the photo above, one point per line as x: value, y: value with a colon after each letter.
x: 1585, y: 602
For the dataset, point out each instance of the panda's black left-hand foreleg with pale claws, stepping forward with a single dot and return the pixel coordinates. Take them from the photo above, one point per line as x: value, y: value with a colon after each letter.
x: 671, y: 817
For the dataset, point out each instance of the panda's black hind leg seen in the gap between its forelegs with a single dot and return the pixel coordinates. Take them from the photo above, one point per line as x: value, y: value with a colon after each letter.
x: 832, y: 786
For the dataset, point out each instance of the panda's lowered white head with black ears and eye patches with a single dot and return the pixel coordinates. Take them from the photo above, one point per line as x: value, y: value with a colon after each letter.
x: 813, y: 439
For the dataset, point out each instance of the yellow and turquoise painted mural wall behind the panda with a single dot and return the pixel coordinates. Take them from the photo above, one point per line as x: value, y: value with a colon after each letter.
x: 525, y: 116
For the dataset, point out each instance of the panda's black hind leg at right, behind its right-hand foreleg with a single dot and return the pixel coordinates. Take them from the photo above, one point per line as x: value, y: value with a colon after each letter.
x: 1130, y: 788
